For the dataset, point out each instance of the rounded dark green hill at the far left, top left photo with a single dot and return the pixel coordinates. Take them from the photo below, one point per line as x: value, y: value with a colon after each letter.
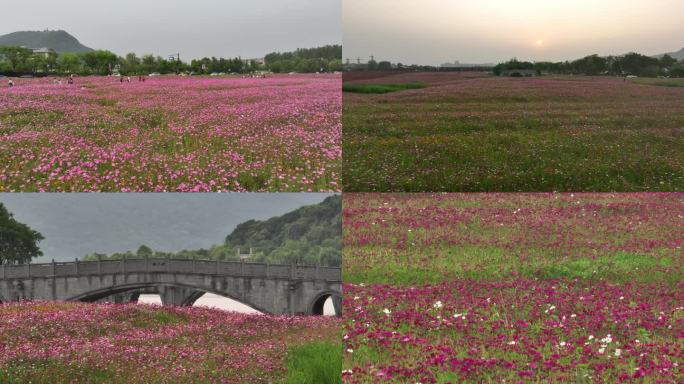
x: 60, y: 41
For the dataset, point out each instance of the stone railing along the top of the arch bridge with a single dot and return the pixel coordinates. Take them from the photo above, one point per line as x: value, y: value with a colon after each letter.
x: 186, y: 266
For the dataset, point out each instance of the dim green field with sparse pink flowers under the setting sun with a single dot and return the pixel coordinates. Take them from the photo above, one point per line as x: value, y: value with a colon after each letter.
x: 471, y: 133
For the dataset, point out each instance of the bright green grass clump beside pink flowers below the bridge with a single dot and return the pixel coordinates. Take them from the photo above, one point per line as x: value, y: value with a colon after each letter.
x: 317, y: 362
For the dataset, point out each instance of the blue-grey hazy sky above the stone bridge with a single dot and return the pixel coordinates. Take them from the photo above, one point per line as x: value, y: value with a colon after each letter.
x: 75, y: 224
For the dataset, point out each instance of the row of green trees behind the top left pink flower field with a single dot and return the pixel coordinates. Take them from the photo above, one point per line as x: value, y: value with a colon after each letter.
x: 22, y: 61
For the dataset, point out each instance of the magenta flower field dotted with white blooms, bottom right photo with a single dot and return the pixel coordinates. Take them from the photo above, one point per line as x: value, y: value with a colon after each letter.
x: 516, y: 288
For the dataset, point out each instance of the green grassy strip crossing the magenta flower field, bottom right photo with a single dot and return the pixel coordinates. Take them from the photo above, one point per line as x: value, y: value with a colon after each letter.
x: 491, y: 263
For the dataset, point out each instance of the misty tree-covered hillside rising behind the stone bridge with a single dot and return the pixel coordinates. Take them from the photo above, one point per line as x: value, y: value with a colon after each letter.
x: 309, y: 235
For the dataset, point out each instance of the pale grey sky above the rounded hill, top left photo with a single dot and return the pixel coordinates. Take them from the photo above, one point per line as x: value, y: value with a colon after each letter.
x: 197, y: 28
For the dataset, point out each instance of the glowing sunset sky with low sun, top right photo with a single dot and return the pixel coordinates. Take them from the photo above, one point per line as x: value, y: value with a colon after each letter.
x: 476, y: 31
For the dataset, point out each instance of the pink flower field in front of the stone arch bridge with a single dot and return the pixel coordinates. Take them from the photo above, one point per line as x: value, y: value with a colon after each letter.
x: 86, y: 343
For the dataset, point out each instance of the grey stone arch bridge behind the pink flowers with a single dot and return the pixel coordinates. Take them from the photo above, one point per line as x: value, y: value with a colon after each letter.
x: 269, y: 288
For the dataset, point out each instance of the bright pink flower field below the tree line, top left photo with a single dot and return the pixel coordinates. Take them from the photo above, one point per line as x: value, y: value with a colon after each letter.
x: 184, y: 134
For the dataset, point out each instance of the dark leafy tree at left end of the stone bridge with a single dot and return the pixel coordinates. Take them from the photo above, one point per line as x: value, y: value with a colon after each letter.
x: 18, y: 242
